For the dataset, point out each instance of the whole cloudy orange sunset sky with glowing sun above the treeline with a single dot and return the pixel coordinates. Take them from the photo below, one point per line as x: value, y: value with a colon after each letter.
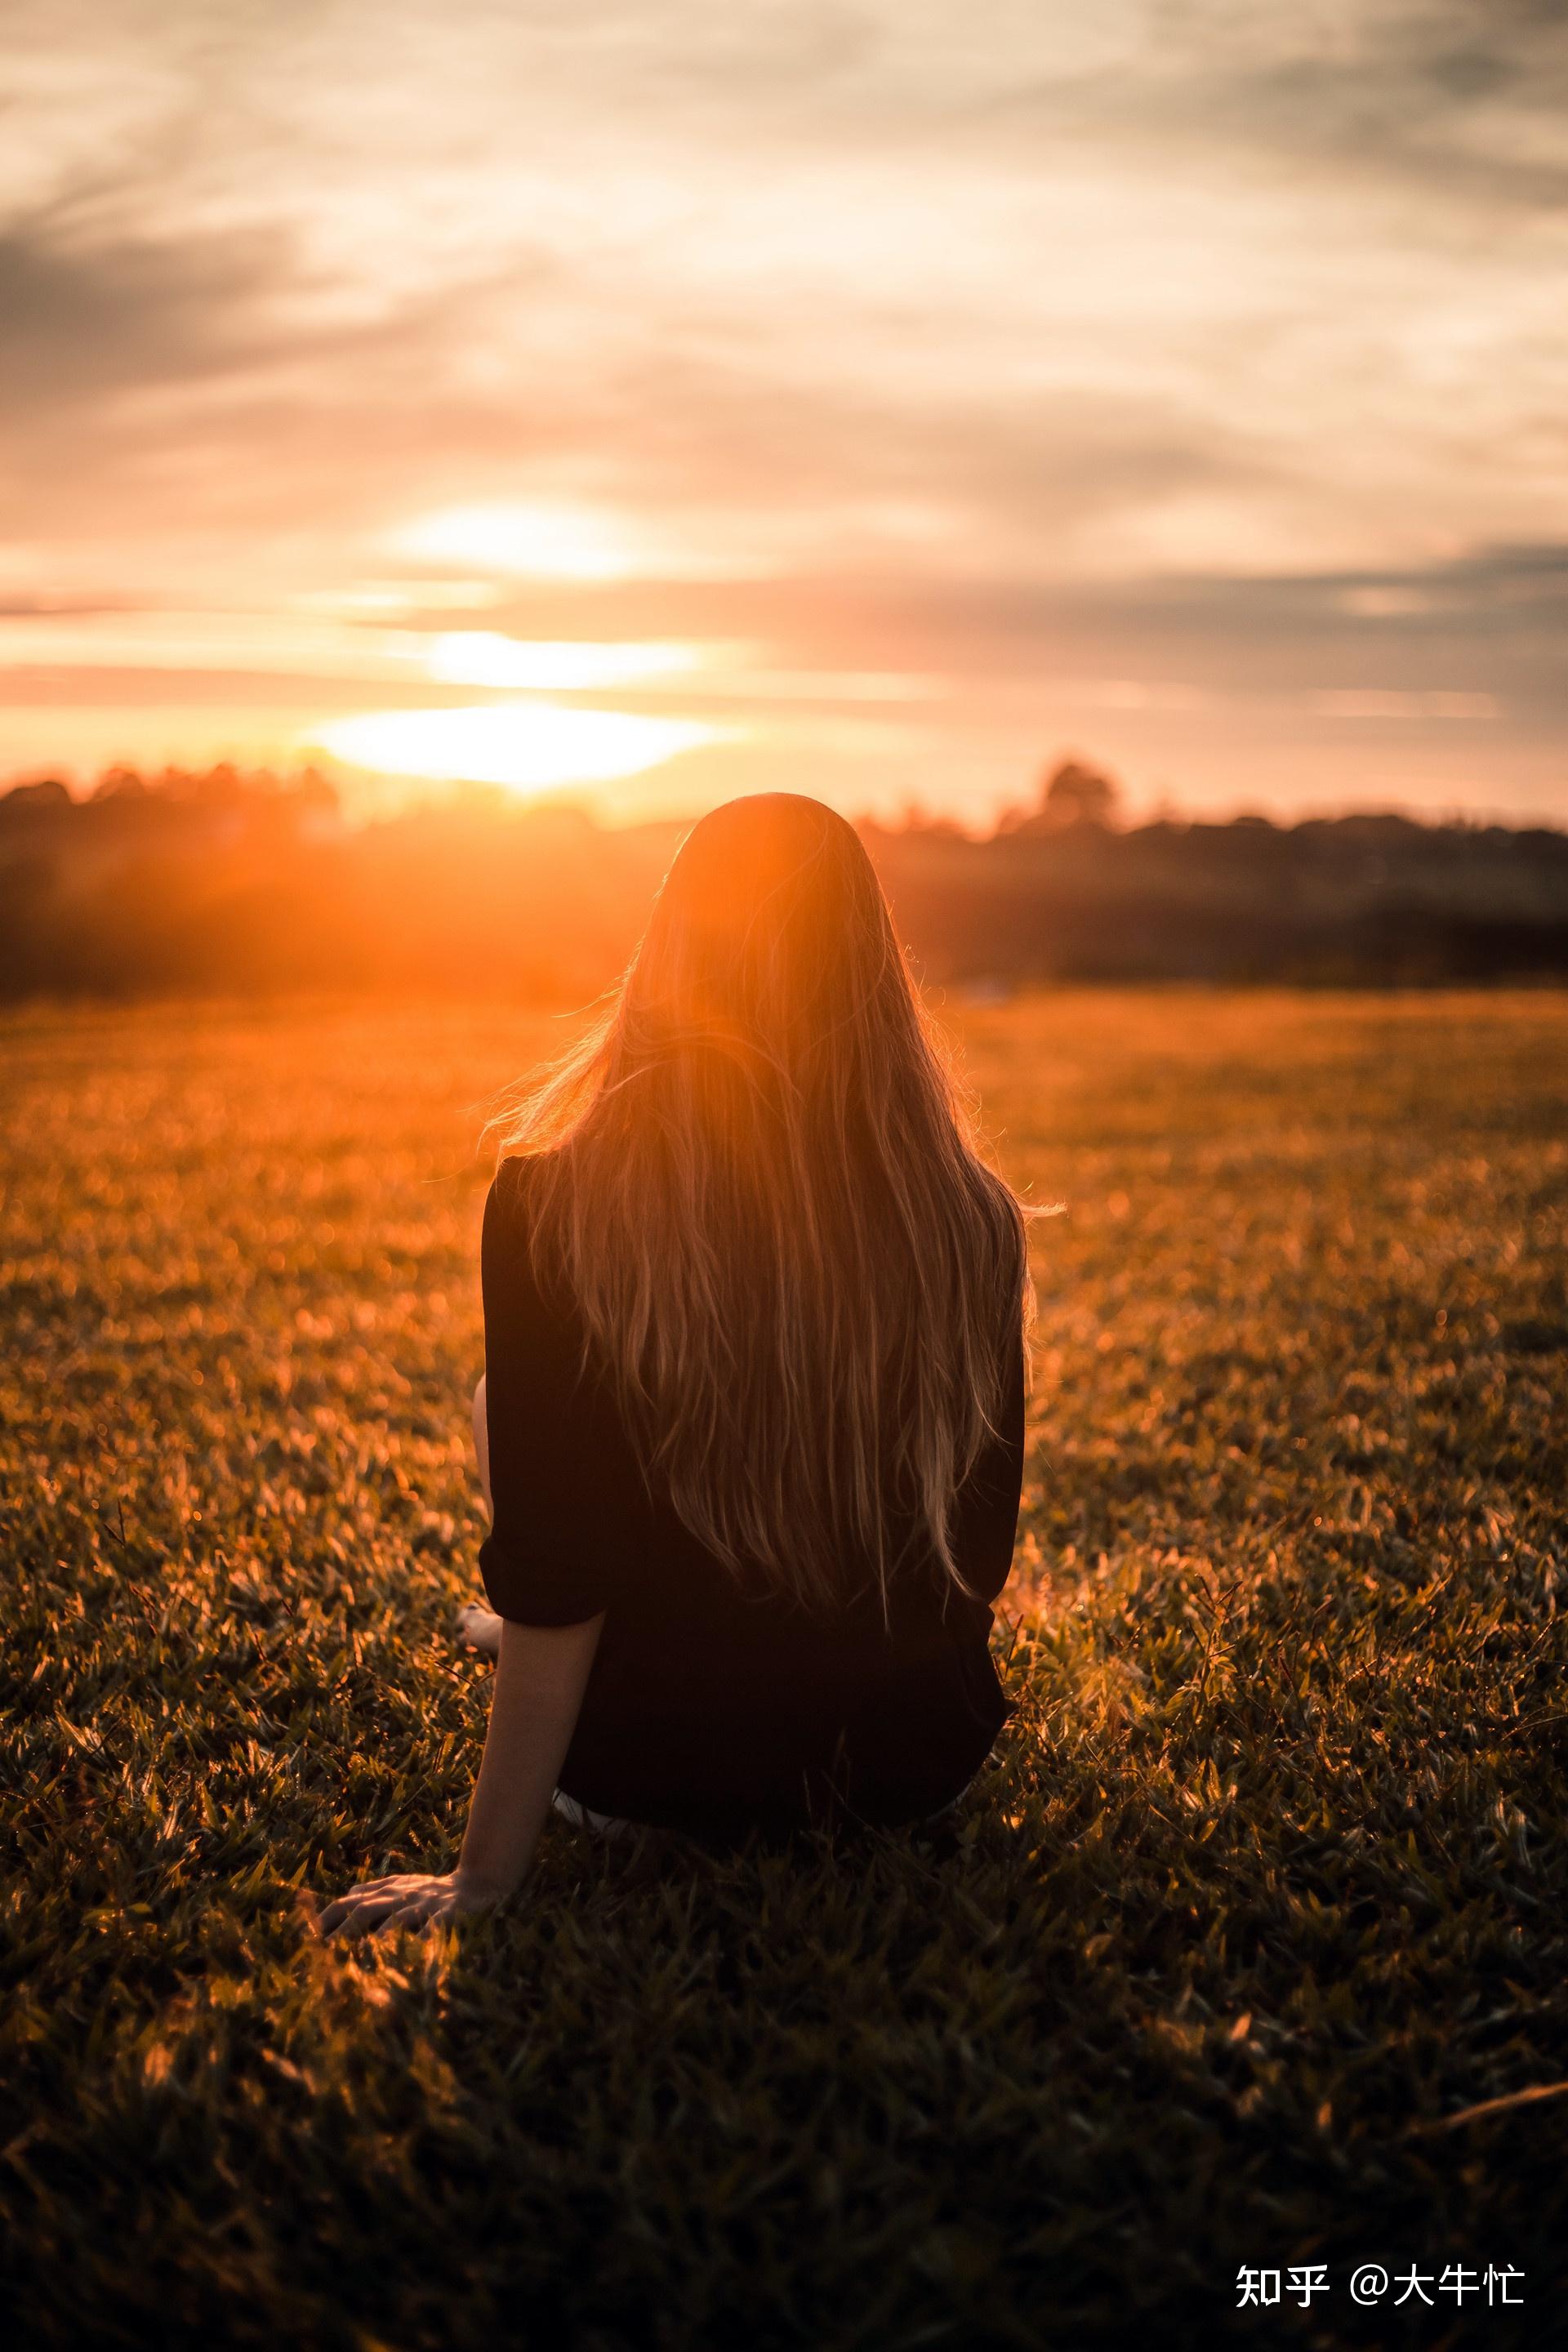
x: 876, y: 401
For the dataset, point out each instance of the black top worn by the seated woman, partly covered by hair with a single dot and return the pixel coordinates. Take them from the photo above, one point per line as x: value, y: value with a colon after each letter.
x: 713, y: 1709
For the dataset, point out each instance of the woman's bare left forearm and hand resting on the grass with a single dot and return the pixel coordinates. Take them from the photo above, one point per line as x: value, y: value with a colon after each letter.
x: 542, y: 1676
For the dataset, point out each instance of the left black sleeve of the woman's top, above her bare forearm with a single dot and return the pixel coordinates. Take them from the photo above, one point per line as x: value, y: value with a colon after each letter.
x: 565, y: 1485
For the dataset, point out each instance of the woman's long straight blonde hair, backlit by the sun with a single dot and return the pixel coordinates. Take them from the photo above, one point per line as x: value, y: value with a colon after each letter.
x: 760, y: 1182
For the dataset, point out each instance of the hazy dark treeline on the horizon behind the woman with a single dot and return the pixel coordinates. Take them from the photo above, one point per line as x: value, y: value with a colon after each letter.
x: 250, y: 883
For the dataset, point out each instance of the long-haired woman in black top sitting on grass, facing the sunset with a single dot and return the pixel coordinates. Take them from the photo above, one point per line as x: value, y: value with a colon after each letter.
x: 751, y: 1422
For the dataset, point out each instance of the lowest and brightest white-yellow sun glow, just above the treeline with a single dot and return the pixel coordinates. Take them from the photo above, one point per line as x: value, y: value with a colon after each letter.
x: 528, y: 747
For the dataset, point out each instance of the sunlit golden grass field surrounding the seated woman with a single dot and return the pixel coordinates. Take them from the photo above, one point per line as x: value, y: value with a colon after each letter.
x: 1264, y: 1897
